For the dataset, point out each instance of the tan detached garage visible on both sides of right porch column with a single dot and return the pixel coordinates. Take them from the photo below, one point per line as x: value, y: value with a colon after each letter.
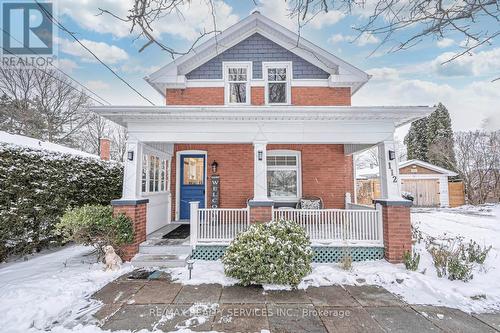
x: 428, y: 184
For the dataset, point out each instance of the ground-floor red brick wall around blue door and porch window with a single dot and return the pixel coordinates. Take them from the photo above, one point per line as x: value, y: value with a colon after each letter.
x: 326, y: 172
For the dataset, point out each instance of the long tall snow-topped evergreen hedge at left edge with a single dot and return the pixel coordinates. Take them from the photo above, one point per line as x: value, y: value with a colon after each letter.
x: 37, y: 186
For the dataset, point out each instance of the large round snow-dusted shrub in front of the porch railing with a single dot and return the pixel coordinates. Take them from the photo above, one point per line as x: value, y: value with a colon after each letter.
x: 274, y: 252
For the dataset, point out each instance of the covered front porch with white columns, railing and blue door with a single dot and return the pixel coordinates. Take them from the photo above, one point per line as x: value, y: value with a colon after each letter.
x: 254, y: 164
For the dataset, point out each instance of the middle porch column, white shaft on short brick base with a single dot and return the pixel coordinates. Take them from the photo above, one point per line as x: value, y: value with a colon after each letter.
x: 260, y: 206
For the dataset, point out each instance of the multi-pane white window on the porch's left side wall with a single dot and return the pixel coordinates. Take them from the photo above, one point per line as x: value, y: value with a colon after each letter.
x: 154, y: 174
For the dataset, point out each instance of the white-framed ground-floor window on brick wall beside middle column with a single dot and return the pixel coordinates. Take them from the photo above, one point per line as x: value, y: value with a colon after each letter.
x: 283, y: 175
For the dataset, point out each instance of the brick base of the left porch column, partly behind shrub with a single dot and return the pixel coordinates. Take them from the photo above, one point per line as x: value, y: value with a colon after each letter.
x: 136, y: 210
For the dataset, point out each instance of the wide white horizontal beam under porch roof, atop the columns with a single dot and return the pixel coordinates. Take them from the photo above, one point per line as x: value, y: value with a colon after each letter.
x: 313, y: 132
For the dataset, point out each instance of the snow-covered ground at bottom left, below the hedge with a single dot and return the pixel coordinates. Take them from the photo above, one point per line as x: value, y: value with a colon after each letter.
x: 51, y: 290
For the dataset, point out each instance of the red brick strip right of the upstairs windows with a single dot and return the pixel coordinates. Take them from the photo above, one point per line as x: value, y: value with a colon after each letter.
x: 321, y: 96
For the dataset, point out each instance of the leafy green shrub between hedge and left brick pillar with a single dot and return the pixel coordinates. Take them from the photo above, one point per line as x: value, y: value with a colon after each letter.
x: 95, y: 225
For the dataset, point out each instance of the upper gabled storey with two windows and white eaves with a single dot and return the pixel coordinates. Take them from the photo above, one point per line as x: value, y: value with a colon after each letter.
x: 258, y: 62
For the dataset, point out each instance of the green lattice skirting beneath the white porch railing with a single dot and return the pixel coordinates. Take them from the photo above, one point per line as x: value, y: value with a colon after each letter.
x: 322, y: 254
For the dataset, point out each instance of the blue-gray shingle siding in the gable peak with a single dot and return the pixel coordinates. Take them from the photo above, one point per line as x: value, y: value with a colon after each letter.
x: 257, y: 49
